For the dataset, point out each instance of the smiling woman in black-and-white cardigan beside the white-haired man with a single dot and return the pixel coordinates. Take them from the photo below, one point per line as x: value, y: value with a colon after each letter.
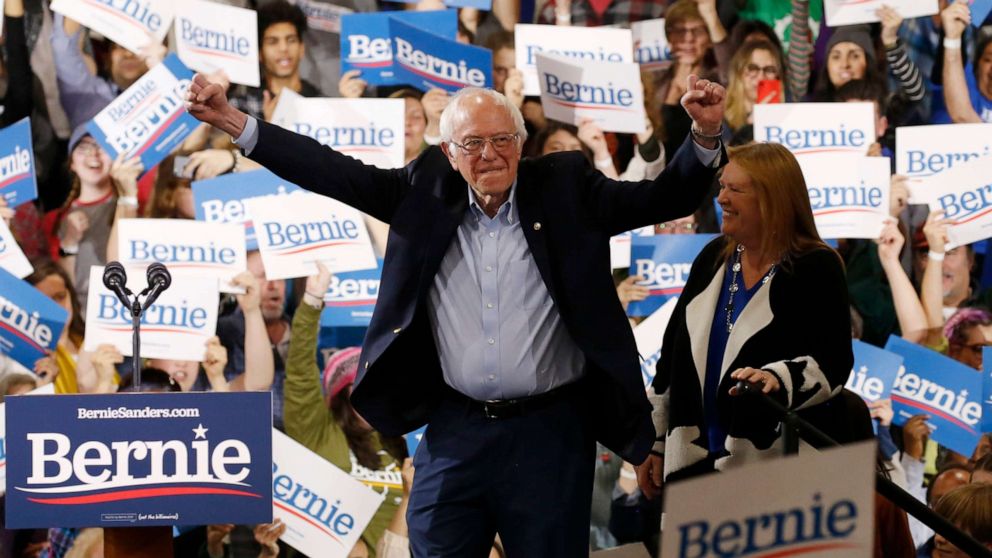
x: 746, y: 314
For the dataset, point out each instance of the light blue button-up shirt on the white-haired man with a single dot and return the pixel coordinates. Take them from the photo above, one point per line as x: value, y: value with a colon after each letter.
x: 498, y: 333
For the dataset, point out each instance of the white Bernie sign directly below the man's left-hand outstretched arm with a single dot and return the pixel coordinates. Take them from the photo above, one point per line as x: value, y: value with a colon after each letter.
x: 295, y: 231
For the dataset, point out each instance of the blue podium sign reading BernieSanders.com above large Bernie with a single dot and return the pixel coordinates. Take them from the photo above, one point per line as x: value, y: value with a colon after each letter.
x: 139, y: 459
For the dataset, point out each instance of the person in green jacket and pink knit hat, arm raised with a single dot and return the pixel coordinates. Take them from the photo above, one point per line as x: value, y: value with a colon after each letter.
x: 327, y: 424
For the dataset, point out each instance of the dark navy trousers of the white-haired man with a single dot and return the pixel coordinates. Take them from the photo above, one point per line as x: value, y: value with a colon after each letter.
x: 527, y: 477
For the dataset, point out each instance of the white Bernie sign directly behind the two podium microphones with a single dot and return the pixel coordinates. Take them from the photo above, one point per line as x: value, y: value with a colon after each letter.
x: 176, y: 326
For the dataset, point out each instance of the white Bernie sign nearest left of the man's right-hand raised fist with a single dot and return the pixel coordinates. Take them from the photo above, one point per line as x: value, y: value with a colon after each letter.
x: 609, y: 93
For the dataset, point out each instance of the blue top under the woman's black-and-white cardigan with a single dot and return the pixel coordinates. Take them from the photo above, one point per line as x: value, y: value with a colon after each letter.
x: 719, y: 335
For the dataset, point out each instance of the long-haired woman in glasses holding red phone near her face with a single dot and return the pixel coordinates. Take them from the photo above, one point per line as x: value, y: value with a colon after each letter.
x: 756, y: 72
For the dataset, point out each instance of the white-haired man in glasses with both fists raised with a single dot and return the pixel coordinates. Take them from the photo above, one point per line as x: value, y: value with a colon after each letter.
x: 497, y: 322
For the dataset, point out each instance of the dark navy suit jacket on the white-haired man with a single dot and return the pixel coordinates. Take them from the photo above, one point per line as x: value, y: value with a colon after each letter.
x: 568, y: 212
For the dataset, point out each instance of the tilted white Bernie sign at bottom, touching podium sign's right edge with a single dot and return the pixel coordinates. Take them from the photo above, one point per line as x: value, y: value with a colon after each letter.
x: 324, y: 509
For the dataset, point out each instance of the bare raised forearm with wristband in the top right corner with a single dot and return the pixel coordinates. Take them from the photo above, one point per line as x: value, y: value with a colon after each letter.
x: 955, y: 19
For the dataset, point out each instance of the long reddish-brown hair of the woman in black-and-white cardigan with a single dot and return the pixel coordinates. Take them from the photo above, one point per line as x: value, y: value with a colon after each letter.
x: 787, y: 227
